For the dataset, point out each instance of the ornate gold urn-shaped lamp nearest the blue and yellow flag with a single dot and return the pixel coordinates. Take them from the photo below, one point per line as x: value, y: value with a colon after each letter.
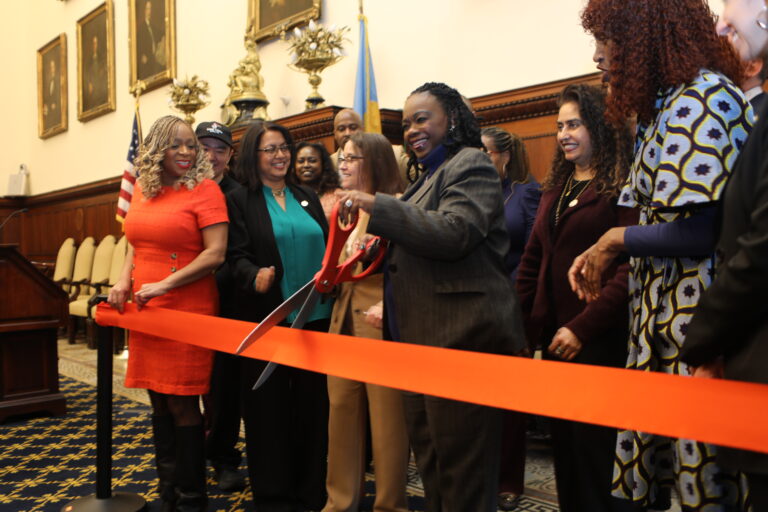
x: 312, y: 51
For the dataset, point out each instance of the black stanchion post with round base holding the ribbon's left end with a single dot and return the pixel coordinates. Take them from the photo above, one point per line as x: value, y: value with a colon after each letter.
x: 105, y: 500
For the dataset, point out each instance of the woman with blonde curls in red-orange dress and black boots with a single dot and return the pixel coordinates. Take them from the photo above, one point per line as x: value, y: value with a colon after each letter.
x: 177, y: 234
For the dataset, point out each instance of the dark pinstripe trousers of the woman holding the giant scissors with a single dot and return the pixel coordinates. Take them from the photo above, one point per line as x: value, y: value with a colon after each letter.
x: 457, y: 446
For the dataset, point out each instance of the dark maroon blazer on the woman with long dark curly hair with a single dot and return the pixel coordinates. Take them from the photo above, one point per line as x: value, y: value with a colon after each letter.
x: 546, y: 298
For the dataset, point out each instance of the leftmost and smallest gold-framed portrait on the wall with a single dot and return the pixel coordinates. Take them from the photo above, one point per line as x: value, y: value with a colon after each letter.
x: 52, y: 87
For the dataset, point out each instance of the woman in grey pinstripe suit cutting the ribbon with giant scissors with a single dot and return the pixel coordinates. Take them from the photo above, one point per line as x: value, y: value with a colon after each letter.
x: 445, y: 285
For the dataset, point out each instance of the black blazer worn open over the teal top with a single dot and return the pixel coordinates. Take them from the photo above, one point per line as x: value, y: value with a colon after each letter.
x: 252, y: 245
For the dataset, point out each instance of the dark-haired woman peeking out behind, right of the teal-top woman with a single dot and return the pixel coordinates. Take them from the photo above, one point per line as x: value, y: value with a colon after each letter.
x: 315, y: 170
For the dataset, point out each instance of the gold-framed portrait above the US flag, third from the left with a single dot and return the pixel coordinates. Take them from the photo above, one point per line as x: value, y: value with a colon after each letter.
x: 152, y: 42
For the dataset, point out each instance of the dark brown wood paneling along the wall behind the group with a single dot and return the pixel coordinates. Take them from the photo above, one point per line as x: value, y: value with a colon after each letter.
x: 89, y: 210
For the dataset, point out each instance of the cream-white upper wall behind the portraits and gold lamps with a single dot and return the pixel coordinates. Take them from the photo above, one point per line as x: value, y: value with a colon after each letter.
x: 478, y: 46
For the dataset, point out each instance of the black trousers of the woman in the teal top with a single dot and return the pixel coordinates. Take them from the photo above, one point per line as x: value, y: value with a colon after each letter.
x: 286, y: 434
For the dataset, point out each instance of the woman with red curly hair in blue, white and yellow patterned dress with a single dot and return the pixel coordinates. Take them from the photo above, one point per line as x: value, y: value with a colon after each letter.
x: 666, y: 65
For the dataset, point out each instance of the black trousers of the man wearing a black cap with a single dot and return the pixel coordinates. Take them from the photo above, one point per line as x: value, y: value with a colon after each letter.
x: 223, y: 410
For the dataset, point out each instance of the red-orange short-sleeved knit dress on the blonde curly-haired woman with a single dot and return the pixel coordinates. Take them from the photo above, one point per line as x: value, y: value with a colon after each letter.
x: 165, y: 232
